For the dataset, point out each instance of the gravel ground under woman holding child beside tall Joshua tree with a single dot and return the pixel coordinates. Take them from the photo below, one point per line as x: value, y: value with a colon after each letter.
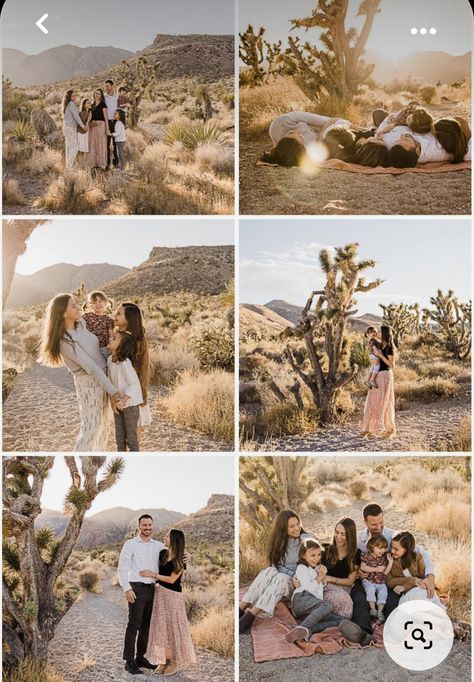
x: 421, y: 427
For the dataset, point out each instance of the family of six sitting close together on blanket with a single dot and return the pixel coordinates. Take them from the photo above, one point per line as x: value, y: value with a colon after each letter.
x: 348, y: 584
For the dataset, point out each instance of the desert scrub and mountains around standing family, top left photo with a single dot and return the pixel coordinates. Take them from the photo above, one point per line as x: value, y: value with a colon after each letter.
x: 180, y: 128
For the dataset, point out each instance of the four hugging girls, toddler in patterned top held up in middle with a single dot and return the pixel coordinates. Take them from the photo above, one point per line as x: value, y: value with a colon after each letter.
x: 108, y: 357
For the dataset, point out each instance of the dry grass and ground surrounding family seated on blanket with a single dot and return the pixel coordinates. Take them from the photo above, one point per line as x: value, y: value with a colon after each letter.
x: 322, y: 491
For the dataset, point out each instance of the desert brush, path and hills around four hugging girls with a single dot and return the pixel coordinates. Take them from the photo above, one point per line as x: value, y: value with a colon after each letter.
x: 187, y: 297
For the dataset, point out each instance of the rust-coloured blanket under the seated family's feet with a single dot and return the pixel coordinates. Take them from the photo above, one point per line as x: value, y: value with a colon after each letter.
x: 269, y: 643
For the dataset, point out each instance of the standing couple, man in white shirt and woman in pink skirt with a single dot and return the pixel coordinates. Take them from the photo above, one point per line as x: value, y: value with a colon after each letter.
x: 149, y: 572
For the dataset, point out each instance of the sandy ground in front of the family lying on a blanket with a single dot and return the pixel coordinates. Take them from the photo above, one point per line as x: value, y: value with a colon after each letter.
x: 288, y: 191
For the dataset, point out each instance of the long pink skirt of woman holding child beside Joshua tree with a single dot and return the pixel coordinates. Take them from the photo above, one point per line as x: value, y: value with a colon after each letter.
x: 379, y: 410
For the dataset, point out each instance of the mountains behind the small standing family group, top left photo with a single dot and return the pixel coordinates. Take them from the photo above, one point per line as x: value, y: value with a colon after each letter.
x: 203, y: 56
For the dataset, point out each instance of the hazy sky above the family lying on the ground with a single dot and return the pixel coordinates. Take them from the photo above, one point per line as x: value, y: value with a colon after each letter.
x: 391, y: 29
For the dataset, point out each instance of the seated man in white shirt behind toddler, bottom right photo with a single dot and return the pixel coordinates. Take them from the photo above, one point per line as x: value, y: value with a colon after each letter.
x: 374, y: 525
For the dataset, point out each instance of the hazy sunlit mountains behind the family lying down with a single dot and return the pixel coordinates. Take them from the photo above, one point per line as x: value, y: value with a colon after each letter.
x: 430, y: 67
